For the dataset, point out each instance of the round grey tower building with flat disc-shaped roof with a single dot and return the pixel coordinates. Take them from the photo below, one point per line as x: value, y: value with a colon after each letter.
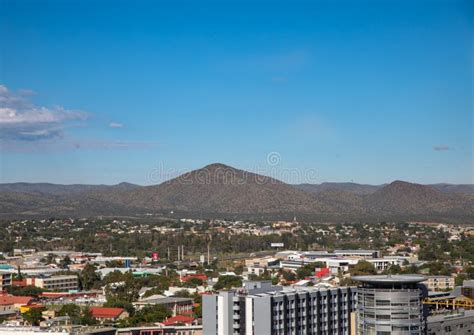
x: 391, y: 305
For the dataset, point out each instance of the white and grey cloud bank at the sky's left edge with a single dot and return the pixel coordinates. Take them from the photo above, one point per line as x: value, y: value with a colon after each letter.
x: 26, y: 127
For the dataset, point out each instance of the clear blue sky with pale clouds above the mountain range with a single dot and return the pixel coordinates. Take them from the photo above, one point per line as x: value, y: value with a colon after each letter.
x: 104, y: 92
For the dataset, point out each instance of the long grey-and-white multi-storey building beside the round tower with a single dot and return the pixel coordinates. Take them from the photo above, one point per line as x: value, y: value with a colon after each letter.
x: 274, y: 310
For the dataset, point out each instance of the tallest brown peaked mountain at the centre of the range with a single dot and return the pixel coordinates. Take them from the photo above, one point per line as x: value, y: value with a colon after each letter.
x: 219, y: 188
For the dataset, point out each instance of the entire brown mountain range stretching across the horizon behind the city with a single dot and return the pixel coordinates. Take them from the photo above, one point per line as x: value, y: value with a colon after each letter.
x: 218, y: 190
